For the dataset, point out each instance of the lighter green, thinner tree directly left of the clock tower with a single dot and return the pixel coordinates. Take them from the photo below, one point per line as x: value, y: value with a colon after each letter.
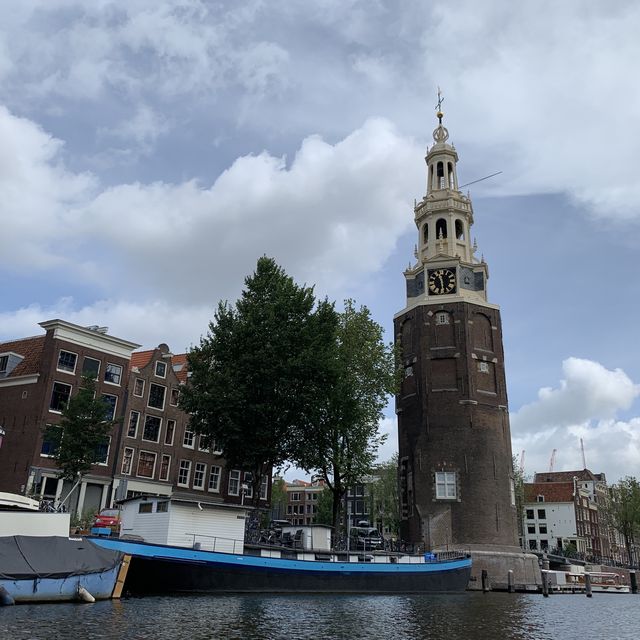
x: 342, y: 445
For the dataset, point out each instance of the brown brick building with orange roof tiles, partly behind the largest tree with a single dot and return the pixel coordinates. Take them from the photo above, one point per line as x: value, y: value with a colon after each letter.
x: 158, y: 454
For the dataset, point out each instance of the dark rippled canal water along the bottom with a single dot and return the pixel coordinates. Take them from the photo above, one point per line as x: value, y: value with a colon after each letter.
x: 491, y: 616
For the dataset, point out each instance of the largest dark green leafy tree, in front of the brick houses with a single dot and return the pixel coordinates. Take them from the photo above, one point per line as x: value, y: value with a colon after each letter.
x: 254, y: 378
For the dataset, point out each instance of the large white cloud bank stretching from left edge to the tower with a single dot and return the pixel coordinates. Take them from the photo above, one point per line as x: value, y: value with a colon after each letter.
x: 331, y: 217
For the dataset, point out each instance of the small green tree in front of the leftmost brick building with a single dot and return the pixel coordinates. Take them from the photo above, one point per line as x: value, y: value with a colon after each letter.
x: 83, y: 431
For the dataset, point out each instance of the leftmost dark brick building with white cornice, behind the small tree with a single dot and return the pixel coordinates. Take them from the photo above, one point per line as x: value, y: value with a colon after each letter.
x: 37, y: 377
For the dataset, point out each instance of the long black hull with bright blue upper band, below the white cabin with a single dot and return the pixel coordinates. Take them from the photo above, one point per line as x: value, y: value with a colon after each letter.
x: 157, y: 568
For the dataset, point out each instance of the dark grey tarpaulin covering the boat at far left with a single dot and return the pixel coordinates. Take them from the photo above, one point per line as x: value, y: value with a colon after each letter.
x: 23, y: 557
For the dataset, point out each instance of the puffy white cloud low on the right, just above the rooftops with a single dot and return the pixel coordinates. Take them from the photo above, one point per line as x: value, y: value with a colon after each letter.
x: 583, y: 407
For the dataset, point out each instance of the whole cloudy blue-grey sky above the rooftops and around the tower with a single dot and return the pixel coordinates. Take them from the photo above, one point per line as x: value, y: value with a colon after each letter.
x: 151, y: 151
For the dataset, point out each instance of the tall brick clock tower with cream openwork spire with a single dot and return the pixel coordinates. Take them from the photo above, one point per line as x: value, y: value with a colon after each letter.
x: 455, y: 464
